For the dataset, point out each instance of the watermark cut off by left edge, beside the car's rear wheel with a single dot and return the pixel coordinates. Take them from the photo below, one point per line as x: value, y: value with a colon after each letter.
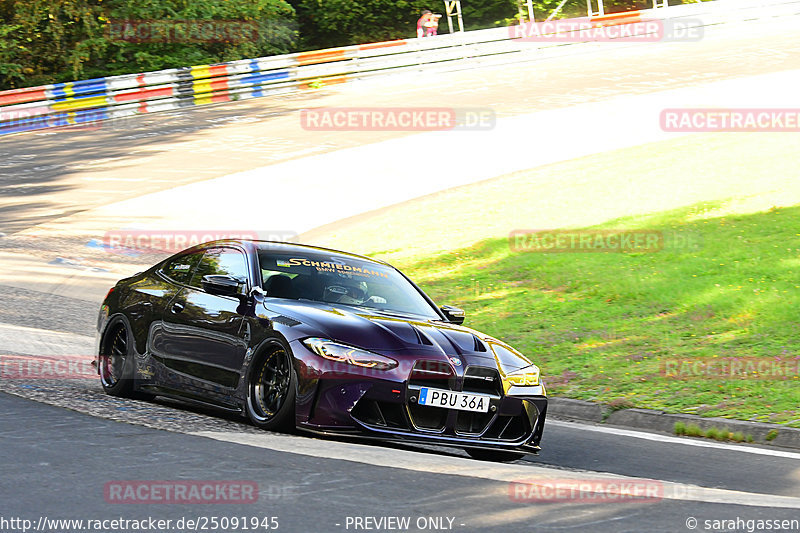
x: 47, y: 367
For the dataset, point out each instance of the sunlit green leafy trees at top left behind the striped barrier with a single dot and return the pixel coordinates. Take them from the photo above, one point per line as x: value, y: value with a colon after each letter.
x: 45, y: 41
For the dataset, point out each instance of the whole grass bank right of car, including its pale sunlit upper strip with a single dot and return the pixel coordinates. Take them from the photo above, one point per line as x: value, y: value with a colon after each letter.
x: 601, y: 325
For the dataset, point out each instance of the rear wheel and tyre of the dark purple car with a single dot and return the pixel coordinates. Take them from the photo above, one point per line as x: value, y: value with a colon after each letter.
x: 116, y: 362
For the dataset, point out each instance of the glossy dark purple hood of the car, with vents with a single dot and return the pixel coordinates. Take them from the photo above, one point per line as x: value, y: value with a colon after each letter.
x: 391, y: 334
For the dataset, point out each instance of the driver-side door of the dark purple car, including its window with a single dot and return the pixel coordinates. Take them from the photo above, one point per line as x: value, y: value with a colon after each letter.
x: 204, y: 344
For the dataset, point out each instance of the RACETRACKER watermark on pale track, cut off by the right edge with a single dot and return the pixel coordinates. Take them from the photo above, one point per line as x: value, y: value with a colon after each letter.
x: 704, y: 120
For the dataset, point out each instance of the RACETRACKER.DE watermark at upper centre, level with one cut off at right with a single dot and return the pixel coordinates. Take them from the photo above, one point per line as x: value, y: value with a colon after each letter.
x: 397, y: 119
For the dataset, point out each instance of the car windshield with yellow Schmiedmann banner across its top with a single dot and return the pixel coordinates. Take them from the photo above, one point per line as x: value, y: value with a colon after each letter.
x: 340, y: 279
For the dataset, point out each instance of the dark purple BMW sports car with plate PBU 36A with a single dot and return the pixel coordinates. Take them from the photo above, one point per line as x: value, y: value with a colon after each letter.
x: 321, y: 340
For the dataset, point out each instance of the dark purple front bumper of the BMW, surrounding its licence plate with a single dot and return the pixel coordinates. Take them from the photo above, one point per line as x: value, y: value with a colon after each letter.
x: 383, y: 405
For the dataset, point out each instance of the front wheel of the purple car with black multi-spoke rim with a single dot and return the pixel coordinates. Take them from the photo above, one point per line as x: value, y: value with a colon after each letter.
x: 271, y: 391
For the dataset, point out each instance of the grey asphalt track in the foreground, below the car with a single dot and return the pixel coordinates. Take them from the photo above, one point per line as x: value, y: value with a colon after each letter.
x: 310, y: 491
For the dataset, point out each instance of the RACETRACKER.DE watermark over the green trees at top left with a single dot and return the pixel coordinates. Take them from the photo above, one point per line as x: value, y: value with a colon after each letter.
x: 182, y: 31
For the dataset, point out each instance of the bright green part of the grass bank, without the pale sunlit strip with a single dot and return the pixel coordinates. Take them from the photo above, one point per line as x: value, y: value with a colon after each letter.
x: 602, y: 325
